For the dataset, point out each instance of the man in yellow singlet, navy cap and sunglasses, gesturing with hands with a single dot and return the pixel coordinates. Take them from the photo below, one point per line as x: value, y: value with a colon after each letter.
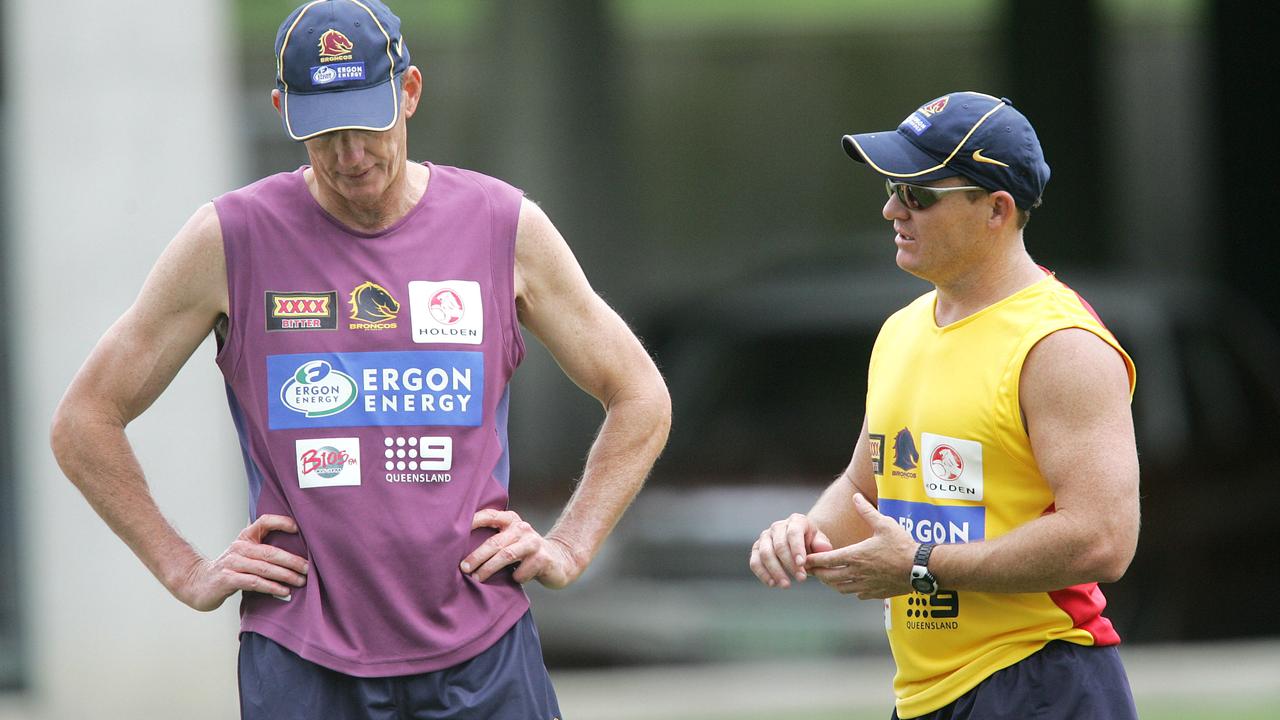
x: 995, y: 481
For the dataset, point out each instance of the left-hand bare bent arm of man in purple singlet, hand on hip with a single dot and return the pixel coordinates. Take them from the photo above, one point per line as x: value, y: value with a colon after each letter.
x: 129, y: 370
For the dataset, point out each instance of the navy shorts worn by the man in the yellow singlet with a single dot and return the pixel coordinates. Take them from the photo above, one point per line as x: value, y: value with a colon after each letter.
x: 1062, y: 682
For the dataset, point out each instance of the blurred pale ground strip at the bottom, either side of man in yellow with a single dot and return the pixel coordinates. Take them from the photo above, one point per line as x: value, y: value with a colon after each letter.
x: 1208, y: 682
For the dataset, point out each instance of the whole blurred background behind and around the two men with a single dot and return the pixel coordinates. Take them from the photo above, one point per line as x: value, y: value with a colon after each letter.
x: 689, y: 152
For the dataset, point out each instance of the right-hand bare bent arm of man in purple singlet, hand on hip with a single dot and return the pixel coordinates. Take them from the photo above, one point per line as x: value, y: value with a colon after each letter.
x: 598, y: 352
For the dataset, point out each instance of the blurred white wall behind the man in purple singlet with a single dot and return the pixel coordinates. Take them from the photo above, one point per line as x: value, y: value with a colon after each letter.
x: 118, y: 130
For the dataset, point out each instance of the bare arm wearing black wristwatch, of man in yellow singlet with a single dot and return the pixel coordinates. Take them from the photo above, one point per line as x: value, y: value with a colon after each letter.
x: 1076, y: 402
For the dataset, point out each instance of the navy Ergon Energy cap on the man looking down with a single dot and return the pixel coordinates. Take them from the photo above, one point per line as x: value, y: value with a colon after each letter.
x: 339, y: 66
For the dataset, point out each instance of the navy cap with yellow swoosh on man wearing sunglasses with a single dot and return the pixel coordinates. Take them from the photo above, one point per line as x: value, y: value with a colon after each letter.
x: 962, y: 134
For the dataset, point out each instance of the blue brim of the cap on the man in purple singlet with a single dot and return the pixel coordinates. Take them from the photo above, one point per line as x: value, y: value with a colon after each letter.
x: 368, y: 108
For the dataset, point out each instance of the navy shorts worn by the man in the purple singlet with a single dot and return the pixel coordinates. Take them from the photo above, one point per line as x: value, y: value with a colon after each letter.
x: 506, y: 682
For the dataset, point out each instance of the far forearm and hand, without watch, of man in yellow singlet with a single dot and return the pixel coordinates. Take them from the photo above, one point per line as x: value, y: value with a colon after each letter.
x: 784, y: 548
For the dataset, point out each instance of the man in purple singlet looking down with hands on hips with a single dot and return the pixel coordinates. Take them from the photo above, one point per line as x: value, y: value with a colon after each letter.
x: 368, y: 316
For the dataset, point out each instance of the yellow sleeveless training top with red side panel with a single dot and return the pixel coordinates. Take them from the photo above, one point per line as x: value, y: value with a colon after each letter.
x: 953, y: 463
